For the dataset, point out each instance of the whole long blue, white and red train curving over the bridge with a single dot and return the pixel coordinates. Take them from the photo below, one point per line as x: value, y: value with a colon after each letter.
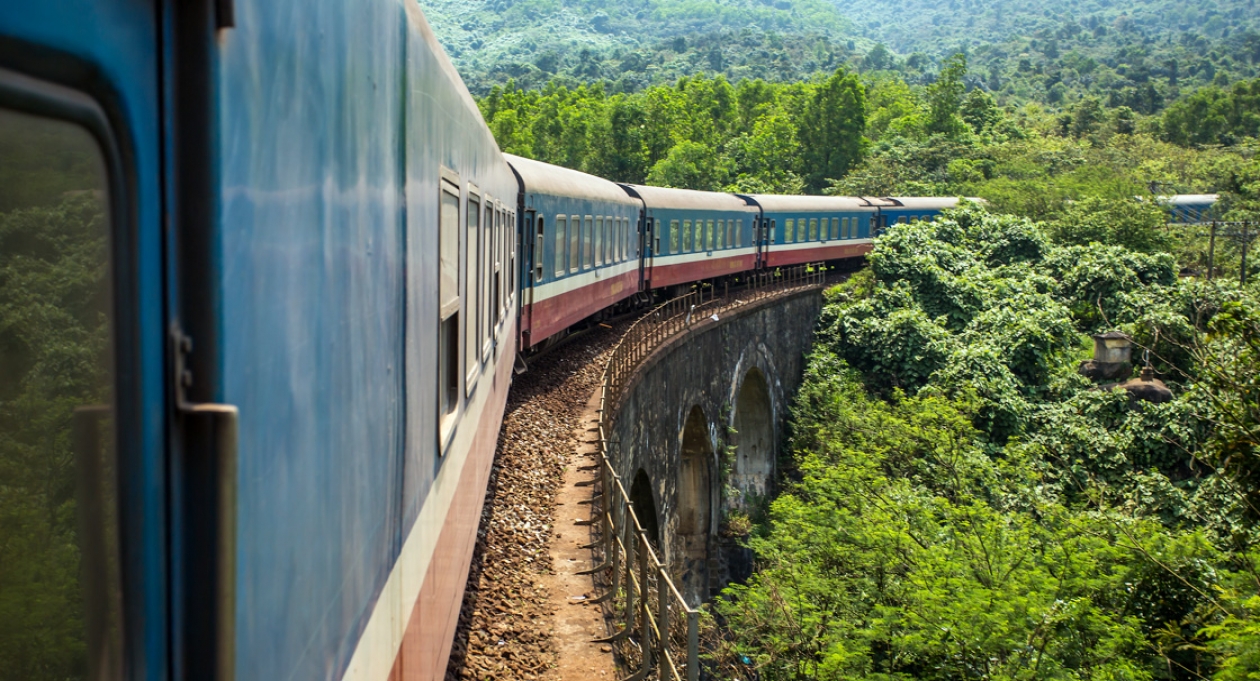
x: 265, y: 282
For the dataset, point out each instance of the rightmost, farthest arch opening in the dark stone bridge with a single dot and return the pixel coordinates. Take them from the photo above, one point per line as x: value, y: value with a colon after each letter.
x: 754, y: 469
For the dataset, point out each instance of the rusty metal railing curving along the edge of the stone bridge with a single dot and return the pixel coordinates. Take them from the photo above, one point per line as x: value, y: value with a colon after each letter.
x: 637, y: 579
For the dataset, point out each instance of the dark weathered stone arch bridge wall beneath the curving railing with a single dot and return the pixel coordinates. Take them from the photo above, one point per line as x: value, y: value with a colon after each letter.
x: 697, y: 427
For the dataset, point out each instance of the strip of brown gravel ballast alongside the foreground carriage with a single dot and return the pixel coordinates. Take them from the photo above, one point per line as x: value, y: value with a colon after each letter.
x: 506, y: 630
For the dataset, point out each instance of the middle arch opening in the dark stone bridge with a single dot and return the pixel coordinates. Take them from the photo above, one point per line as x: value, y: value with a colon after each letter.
x: 695, y: 505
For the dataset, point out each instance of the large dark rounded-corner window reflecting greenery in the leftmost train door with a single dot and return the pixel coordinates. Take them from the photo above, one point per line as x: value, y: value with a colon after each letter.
x: 59, y: 496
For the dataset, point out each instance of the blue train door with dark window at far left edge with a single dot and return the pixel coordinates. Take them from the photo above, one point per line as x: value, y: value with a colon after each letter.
x: 91, y: 273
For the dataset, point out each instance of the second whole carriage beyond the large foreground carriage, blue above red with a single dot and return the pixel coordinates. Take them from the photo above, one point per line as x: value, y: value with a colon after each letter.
x: 695, y: 235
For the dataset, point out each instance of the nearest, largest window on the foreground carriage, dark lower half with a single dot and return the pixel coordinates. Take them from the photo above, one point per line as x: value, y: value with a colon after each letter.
x: 449, y: 297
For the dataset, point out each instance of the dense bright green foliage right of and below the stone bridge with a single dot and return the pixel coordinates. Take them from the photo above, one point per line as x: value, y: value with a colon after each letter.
x: 967, y: 506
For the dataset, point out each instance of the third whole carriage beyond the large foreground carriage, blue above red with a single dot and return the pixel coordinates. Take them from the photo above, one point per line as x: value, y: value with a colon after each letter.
x: 813, y: 229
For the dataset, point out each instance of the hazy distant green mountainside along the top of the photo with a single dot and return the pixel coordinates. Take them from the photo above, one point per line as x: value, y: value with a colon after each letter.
x: 1138, y: 54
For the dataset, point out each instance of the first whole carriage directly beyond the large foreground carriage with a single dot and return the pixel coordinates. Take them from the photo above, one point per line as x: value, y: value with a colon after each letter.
x: 583, y: 255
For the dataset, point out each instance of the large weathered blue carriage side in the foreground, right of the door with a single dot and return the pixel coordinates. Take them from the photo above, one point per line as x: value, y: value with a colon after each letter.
x: 370, y: 260
